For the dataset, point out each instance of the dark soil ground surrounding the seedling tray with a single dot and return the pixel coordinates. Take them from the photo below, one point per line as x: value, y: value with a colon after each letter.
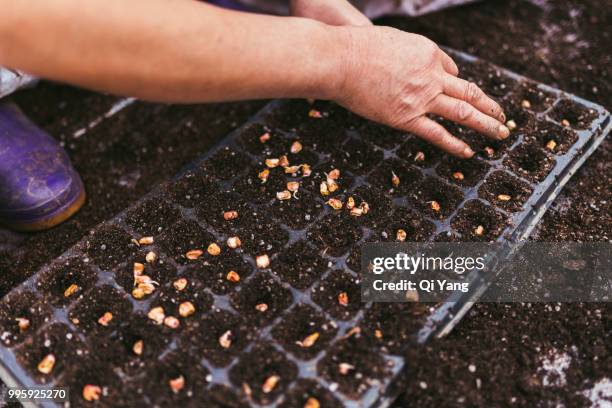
x: 562, y: 43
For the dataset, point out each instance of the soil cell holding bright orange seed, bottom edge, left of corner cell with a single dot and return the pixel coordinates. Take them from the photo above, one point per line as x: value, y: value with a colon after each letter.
x: 266, y: 373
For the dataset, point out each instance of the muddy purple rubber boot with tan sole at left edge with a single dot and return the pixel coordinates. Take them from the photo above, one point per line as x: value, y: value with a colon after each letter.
x: 39, y: 188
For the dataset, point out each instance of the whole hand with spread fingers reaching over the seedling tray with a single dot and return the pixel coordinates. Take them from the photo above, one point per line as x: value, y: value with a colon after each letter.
x: 397, y: 78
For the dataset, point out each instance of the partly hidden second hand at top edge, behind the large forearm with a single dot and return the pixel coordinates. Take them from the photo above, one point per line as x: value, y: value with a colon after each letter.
x: 332, y: 12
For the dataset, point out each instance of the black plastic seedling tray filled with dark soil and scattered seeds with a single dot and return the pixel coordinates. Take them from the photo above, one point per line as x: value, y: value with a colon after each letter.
x: 298, y: 330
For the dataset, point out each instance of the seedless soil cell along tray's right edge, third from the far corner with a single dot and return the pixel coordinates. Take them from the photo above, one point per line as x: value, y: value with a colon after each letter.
x: 530, y: 161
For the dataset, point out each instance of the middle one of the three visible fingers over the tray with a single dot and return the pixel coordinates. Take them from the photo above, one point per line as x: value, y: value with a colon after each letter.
x: 465, y: 114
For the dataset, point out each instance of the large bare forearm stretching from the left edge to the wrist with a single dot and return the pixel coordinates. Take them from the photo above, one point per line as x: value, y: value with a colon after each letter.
x: 175, y: 51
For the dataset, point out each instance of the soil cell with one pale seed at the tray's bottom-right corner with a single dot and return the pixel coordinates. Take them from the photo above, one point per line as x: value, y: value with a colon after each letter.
x: 353, y: 365
